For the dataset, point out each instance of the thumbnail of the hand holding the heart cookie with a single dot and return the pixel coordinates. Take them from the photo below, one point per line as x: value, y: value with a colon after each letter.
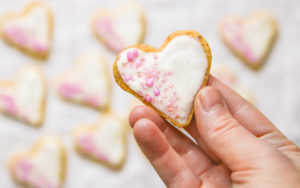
x: 210, y: 98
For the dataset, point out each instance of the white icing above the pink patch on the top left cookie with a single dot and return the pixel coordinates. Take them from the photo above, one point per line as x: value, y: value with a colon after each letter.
x: 35, y: 25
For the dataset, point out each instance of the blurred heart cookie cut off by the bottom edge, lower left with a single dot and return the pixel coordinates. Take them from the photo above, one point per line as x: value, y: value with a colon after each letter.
x: 44, y: 166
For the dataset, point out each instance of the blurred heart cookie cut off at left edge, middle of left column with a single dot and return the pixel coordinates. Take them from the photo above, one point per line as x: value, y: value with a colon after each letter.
x: 25, y: 97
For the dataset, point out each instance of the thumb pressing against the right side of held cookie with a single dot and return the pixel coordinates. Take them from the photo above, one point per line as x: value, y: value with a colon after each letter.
x: 229, y: 140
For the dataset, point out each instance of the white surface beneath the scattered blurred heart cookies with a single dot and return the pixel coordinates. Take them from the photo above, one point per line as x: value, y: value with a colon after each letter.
x: 276, y: 85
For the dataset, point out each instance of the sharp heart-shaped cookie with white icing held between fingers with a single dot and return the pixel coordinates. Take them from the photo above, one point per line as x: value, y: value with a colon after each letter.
x: 167, y: 78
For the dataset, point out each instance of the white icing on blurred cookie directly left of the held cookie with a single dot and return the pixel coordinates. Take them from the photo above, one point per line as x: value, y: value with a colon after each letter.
x: 91, y: 76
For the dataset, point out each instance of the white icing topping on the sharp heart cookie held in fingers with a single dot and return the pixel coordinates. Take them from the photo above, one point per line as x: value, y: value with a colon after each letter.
x: 184, y: 62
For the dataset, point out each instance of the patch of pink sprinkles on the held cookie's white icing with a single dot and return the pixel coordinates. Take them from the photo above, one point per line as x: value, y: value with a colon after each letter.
x: 155, y: 86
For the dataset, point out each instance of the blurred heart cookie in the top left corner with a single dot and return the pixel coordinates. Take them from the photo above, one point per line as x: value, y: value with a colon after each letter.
x: 30, y: 31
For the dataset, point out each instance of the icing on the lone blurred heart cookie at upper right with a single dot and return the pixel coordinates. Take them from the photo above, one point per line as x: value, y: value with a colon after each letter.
x: 256, y: 34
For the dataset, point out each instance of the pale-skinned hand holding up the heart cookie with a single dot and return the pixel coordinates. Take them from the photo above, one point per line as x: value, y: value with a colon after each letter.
x: 235, y: 145
